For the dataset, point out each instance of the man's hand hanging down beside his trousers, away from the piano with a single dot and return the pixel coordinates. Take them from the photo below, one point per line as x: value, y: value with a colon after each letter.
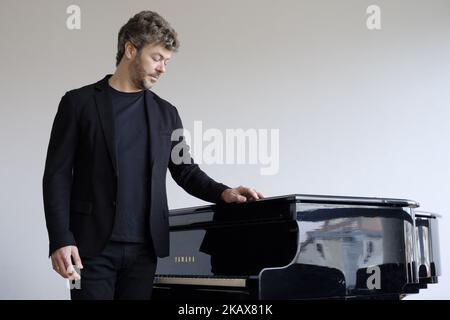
x: 62, y: 262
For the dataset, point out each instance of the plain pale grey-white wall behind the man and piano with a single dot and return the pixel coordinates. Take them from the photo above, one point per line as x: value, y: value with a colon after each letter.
x: 360, y: 112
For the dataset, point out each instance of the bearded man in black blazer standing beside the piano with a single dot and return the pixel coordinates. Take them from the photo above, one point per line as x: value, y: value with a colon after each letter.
x: 104, y: 181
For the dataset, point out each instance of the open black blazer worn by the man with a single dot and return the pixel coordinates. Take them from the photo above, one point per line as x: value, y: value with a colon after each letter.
x: 80, y: 178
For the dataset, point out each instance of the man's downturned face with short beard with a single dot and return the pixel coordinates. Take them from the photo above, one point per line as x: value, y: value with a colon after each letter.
x: 148, y: 65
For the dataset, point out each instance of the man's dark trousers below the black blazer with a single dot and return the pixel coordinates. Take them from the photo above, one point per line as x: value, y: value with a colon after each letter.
x: 121, y: 271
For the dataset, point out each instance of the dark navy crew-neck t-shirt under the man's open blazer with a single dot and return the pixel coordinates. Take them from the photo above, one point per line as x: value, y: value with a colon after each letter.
x: 133, y: 153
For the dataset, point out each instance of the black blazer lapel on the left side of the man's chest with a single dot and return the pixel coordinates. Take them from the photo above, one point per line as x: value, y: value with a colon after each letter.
x: 105, y: 111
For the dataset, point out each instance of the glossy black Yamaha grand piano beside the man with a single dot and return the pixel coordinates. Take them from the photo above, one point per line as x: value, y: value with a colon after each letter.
x: 300, y: 247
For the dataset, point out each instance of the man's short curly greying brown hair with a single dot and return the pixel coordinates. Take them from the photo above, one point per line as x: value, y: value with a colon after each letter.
x: 146, y: 27
